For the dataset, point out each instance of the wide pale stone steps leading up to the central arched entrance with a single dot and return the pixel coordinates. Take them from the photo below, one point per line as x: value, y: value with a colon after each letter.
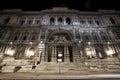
x: 64, y: 67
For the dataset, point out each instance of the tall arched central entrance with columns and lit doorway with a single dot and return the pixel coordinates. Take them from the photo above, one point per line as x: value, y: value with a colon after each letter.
x: 59, y: 45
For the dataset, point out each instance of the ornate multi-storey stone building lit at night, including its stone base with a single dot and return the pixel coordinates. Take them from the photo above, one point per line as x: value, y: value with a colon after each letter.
x: 77, y: 39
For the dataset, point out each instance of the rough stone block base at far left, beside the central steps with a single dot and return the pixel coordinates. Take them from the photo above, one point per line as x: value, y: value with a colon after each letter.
x: 11, y: 65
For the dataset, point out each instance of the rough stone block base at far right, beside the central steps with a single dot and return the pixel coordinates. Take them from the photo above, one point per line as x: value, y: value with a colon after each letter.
x: 109, y: 64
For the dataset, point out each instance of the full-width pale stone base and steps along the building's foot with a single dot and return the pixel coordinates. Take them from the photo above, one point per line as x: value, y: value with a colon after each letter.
x: 98, y: 65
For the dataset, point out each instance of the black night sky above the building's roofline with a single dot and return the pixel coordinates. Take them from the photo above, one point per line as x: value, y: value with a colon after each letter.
x: 37, y: 5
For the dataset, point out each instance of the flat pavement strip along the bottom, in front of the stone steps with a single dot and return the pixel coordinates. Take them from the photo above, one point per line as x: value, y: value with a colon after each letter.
x: 59, y: 76
